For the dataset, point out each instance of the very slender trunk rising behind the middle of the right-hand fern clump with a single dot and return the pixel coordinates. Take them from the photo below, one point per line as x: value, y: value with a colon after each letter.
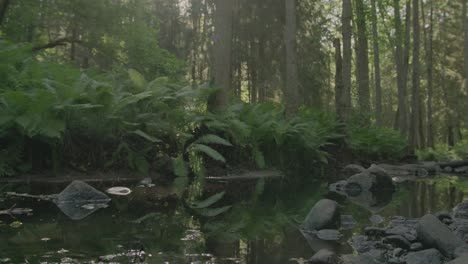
x: 378, y: 86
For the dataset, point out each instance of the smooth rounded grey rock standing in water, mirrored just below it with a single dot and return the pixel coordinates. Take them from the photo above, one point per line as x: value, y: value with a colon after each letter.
x: 324, y: 215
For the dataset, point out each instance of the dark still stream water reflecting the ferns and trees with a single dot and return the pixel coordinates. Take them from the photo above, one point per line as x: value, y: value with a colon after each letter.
x: 260, y: 227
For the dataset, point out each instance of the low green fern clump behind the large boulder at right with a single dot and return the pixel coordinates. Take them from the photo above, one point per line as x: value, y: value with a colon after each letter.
x: 373, y: 141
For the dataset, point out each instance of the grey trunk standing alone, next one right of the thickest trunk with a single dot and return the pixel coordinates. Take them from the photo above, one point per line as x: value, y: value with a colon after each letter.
x: 292, y: 82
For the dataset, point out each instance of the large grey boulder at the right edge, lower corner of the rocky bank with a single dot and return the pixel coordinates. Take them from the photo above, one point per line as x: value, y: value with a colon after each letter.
x: 433, y: 233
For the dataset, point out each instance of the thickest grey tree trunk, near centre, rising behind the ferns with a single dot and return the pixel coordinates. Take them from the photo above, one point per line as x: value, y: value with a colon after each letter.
x: 222, y: 53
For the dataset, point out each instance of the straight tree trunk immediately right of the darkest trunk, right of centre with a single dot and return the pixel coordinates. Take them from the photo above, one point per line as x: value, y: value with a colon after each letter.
x: 362, y: 59
